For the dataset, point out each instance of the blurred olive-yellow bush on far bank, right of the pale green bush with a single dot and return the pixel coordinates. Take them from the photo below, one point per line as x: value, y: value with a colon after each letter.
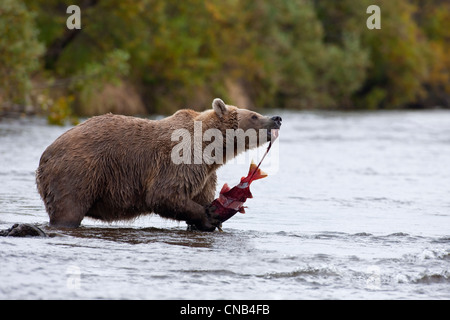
x: 399, y: 52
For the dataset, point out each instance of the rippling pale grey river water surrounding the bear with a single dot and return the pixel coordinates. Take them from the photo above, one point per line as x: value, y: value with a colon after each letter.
x: 356, y: 206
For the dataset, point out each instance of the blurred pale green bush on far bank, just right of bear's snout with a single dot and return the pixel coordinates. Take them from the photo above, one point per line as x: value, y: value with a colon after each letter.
x: 313, y: 73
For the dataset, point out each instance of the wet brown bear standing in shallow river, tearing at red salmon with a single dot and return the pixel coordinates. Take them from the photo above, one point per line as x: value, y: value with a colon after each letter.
x: 114, y: 167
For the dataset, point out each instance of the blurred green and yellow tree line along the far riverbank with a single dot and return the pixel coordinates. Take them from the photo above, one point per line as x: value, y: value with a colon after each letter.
x: 155, y: 56
